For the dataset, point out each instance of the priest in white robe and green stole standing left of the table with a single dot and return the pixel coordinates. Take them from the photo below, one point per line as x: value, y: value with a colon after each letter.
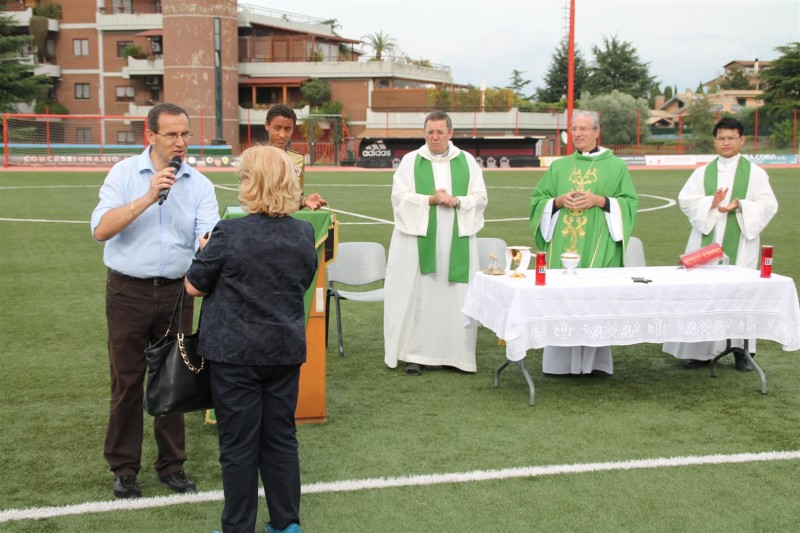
x: 438, y: 198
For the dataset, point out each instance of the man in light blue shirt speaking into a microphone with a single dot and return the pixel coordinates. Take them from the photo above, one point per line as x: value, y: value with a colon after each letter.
x: 149, y: 245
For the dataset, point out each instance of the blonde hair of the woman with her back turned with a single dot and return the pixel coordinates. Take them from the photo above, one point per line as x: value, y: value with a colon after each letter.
x: 272, y: 186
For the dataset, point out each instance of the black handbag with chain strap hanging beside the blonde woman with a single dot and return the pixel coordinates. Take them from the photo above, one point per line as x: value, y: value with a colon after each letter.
x: 177, y: 377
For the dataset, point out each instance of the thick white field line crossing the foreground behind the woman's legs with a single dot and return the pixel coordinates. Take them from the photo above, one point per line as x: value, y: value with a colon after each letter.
x: 37, y: 513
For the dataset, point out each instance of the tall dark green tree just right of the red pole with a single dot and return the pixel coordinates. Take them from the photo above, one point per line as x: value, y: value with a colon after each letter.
x: 617, y: 66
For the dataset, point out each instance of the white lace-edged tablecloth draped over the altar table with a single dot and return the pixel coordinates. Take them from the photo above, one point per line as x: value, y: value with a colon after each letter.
x: 601, y: 307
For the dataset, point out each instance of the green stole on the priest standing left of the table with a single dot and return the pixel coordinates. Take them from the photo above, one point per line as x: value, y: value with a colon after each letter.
x: 459, y: 249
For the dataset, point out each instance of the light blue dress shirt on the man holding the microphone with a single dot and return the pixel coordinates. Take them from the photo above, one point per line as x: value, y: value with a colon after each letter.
x: 161, y: 242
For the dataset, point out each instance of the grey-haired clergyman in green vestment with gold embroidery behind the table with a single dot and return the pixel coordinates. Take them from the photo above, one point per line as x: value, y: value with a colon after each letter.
x: 585, y: 203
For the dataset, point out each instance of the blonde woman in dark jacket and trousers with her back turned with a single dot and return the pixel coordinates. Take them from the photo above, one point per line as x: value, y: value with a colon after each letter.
x: 254, y: 272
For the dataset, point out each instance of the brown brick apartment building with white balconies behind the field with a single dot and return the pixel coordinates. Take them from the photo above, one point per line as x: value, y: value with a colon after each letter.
x: 228, y: 62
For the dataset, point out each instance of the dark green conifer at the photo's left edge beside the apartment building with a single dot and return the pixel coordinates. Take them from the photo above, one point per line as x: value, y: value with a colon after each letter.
x: 17, y: 83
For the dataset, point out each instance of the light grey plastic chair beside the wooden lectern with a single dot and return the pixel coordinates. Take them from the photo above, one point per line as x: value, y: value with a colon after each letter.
x: 356, y: 264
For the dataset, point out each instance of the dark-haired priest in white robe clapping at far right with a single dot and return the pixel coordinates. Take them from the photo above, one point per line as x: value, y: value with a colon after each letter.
x: 729, y: 202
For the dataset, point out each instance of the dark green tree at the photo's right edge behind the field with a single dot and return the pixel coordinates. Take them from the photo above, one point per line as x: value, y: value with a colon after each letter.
x: 782, y: 79
